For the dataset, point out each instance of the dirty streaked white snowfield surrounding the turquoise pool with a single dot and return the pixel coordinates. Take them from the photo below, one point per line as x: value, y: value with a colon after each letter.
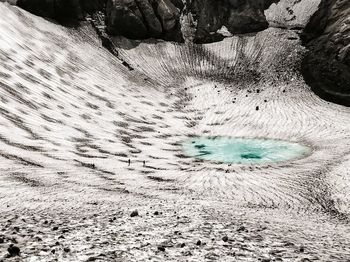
x: 72, y: 115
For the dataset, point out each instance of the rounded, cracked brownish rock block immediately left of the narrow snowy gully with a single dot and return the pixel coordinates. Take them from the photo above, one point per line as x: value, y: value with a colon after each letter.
x: 139, y: 19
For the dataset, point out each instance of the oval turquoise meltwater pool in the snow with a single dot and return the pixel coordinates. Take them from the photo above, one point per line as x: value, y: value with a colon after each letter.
x: 244, y: 150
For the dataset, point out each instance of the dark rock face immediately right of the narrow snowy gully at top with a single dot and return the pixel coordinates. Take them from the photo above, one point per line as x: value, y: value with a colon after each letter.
x: 236, y: 15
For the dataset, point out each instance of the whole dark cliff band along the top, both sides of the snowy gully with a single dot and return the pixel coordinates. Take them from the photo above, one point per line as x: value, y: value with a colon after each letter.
x: 140, y: 19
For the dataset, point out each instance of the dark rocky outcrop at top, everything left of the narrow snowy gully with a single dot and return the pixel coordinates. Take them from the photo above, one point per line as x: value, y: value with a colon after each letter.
x: 136, y: 19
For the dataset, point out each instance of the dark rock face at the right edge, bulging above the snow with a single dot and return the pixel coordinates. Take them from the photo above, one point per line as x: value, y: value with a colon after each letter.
x: 326, y: 67
